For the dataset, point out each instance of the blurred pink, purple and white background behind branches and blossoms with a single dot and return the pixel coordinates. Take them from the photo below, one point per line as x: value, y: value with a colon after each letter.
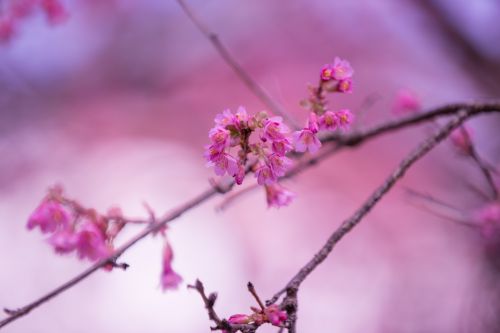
x: 115, y: 105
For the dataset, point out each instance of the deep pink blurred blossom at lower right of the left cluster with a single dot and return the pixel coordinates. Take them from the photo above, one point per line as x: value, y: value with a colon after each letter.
x: 90, y: 241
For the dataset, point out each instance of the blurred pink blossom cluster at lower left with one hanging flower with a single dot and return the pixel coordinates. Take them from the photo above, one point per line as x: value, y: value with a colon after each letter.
x: 73, y: 228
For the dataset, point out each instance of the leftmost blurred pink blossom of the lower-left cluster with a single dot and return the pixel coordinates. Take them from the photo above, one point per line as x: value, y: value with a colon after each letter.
x: 49, y: 216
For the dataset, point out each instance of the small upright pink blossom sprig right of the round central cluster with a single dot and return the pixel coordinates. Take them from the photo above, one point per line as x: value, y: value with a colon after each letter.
x: 336, y: 77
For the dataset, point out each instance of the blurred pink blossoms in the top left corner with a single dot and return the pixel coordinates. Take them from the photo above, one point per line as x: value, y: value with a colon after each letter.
x: 15, y: 11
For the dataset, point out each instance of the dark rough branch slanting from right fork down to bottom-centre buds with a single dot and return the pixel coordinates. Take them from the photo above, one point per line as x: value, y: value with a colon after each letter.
x: 292, y: 286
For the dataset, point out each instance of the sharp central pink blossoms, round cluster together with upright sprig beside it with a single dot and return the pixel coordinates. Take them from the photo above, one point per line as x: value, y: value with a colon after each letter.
x: 261, y: 142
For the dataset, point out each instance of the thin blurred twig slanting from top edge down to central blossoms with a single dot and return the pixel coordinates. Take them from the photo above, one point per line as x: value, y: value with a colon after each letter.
x: 253, y: 86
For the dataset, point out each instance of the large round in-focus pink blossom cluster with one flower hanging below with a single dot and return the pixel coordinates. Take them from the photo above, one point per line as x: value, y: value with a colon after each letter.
x: 239, y: 140
